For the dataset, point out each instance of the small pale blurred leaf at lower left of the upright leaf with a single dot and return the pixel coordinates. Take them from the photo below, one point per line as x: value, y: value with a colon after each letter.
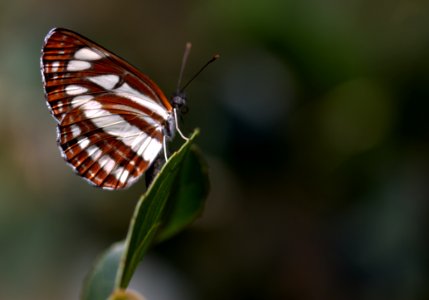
x: 100, y: 283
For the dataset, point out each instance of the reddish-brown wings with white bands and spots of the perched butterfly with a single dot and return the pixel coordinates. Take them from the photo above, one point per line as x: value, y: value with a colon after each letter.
x: 111, y: 117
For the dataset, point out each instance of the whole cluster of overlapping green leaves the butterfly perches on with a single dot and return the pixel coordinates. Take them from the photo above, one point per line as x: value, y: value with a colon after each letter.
x: 174, y: 199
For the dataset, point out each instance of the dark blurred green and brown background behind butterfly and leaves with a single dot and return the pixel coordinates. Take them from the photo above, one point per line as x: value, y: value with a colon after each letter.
x: 314, y: 123
